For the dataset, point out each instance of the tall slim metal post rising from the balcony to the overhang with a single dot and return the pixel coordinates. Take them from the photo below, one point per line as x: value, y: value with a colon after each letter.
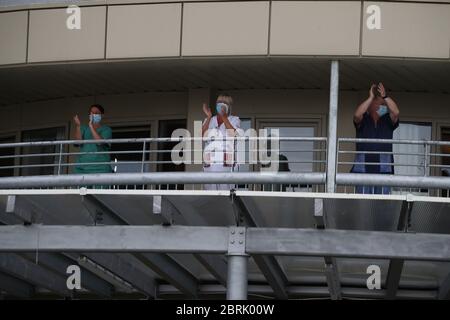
x: 332, y: 127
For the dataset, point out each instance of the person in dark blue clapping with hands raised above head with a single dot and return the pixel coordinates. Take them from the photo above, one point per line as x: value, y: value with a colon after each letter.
x: 375, y: 118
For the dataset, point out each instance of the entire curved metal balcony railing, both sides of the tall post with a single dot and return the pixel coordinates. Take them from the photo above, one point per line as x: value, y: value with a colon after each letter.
x: 420, y: 166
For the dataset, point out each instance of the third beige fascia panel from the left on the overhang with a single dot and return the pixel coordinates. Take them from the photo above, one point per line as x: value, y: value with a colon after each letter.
x: 144, y: 31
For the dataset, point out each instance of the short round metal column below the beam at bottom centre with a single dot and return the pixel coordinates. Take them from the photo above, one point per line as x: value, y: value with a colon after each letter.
x: 237, y: 277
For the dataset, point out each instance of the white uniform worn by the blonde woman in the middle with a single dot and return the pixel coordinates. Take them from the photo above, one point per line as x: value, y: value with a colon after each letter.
x: 220, y: 146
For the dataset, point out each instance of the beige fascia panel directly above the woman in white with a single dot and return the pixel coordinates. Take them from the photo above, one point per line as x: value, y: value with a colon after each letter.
x: 227, y: 28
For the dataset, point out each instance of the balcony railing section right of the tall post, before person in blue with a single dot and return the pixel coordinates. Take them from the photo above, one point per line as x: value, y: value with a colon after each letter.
x: 420, y: 167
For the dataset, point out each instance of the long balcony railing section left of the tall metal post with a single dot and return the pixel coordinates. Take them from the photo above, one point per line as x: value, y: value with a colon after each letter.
x: 147, y: 163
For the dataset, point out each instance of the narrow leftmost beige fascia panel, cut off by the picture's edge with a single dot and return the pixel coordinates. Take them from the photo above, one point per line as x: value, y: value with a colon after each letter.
x: 13, y: 37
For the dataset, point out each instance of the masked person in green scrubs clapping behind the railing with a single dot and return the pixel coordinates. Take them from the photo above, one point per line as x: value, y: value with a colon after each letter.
x: 86, y: 163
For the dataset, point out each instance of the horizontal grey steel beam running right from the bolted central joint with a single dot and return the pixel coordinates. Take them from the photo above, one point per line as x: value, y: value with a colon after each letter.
x: 354, y: 244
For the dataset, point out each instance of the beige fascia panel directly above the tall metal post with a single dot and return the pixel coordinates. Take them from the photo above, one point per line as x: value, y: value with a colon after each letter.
x: 315, y: 28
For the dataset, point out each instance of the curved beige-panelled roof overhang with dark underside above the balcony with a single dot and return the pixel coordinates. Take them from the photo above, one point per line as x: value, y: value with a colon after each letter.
x: 136, y: 46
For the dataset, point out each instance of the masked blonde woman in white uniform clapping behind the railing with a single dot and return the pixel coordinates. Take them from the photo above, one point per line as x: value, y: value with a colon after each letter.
x: 219, y: 154
